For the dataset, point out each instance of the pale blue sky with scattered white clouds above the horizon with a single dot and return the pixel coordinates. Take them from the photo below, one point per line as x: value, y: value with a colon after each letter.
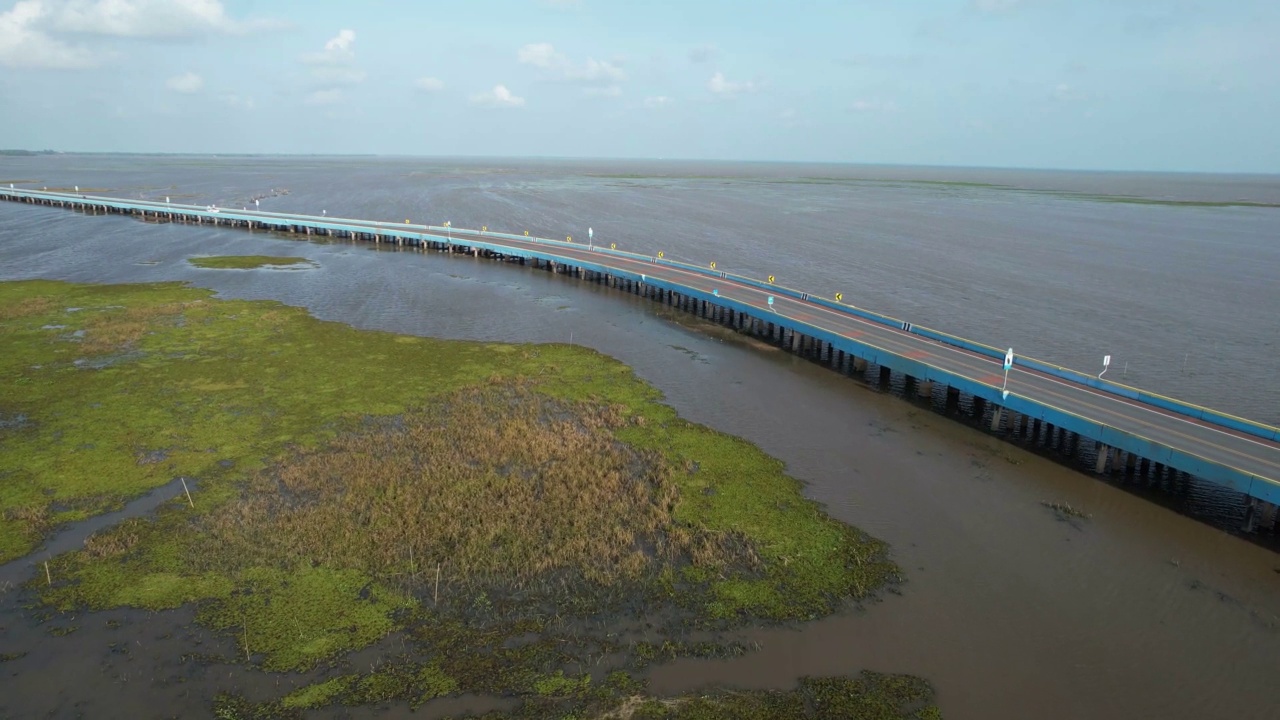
x: 1122, y: 85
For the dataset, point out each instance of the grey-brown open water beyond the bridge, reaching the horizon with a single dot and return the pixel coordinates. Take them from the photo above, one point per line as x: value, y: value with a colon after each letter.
x: 1182, y: 297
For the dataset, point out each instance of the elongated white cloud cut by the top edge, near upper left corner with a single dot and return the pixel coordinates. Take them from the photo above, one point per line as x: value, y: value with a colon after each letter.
x: 148, y: 19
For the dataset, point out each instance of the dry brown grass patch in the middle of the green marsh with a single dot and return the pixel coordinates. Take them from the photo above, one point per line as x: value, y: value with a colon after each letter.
x: 500, y: 486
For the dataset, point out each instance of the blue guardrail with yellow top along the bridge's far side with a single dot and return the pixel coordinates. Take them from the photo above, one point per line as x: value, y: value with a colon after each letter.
x: 415, y: 231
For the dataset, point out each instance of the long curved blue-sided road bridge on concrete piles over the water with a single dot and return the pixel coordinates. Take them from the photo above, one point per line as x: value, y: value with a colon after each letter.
x: 1119, y: 429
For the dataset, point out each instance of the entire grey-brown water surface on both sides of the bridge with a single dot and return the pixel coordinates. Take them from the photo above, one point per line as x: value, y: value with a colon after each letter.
x: 1137, y: 613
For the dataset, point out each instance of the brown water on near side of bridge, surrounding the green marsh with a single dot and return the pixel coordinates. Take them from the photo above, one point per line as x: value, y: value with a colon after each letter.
x: 1136, y: 613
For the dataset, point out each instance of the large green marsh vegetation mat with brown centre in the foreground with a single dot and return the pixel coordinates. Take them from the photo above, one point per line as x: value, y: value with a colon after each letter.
x: 528, y: 522
